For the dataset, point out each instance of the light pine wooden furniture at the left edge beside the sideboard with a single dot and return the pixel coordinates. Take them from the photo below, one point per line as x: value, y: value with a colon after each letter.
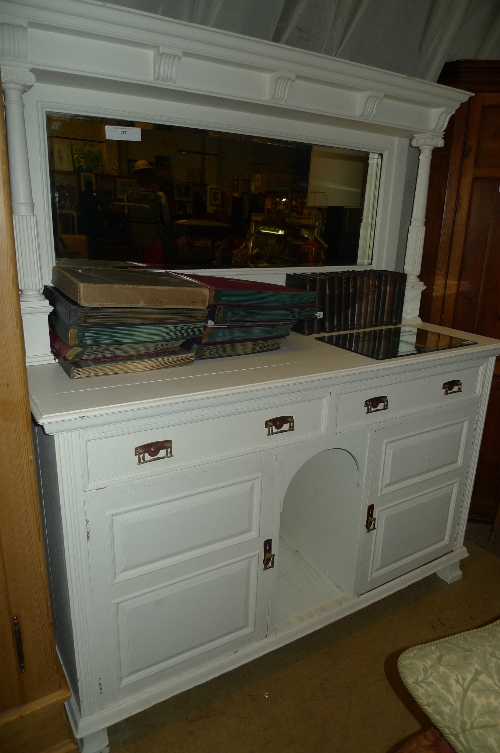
x: 32, y: 686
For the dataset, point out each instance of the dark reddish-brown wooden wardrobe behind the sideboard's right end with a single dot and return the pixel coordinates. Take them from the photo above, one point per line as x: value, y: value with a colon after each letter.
x: 461, y: 259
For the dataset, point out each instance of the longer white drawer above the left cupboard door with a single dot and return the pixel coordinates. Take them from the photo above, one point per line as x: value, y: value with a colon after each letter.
x: 193, y: 439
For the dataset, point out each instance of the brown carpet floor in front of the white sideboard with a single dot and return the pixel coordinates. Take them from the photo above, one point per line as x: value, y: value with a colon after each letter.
x: 337, y: 690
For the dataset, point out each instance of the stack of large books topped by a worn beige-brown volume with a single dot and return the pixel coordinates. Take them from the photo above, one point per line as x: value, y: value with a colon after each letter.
x: 112, y: 321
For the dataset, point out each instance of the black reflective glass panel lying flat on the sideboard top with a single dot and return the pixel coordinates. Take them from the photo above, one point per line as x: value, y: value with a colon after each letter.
x: 394, y: 342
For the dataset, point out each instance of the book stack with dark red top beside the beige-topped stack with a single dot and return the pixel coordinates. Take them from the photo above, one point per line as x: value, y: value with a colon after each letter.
x: 247, y: 317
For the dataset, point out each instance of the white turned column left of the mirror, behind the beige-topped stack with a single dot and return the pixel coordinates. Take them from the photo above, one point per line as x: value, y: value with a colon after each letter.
x: 34, y: 306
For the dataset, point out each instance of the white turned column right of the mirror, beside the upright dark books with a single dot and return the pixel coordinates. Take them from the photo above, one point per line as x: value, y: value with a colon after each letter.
x: 415, y: 244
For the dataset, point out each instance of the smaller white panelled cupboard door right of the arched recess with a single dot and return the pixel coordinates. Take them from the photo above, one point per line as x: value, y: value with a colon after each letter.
x: 416, y: 486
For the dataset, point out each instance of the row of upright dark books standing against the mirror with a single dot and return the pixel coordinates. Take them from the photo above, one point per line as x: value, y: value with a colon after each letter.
x: 351, y: 300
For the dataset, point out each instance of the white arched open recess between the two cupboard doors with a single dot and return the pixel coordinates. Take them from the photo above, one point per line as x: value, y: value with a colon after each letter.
x: 319, y: 537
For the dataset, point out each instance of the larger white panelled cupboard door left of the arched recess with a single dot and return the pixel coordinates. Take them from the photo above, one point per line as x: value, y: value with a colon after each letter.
x: 177, y: 573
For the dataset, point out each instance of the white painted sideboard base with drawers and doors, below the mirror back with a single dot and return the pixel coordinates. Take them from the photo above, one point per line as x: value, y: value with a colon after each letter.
x: 187, y: 533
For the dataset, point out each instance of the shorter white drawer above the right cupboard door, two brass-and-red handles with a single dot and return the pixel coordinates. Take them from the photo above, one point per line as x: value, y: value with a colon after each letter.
x: 382, y: 400
